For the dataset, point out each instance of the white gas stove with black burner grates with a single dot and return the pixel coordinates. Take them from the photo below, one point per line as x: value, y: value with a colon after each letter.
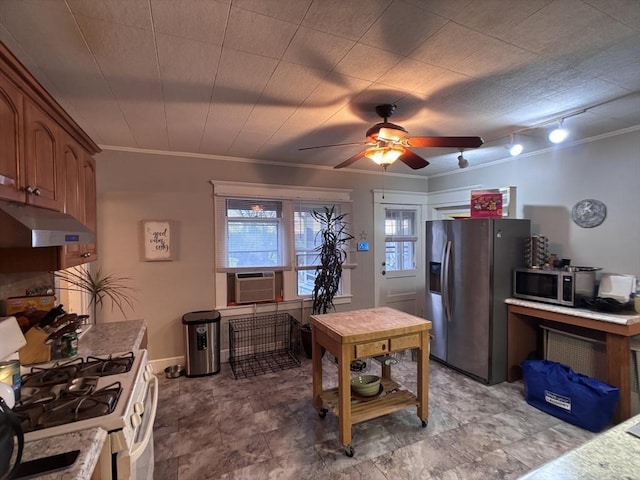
x: 117, y: 393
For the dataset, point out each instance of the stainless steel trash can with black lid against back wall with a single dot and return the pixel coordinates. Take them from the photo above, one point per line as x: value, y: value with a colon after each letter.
x: 202, y: 342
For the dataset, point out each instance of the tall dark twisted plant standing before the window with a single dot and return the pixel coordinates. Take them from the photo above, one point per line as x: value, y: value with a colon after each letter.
x: 332, y: 254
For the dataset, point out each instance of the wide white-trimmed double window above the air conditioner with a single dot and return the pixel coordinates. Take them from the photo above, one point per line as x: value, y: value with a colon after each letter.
x: 256, y: 233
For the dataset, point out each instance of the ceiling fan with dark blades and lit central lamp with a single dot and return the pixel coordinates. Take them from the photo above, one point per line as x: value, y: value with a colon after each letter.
x: 388, y: 142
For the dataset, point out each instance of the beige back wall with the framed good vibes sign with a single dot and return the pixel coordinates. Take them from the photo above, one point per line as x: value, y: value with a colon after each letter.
x: 135, y: 186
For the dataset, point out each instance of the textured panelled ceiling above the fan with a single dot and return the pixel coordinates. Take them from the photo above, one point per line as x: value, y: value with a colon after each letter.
x: 260, y: 79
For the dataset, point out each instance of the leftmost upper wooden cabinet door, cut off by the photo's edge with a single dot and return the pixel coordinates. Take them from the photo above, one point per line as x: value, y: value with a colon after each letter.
x: 10, y: 141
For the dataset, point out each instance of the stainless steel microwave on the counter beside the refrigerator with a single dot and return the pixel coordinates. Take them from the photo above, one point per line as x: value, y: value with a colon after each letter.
x: 561, y: 287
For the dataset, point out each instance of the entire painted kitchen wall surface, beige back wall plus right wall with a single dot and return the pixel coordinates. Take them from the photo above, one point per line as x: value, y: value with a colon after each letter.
x: 135, y: 186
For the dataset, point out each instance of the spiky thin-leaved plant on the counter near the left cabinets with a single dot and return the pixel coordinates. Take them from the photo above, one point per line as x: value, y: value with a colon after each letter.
x: 99, y: 287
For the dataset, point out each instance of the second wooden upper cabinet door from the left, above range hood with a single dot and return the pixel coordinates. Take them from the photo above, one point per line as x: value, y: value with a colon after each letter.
x: 44, y: 181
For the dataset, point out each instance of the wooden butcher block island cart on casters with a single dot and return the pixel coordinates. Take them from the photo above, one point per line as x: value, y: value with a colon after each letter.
x: 368, y: 333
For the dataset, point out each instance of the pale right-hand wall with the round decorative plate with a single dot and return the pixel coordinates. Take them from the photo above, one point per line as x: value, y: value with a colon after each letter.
x: 550, y: 183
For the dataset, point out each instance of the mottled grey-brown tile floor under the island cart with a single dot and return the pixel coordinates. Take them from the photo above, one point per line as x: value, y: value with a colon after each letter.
x: 265, y: 427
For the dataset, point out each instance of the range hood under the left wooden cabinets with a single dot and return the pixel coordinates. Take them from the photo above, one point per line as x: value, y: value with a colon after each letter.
x: 28, y: 226
